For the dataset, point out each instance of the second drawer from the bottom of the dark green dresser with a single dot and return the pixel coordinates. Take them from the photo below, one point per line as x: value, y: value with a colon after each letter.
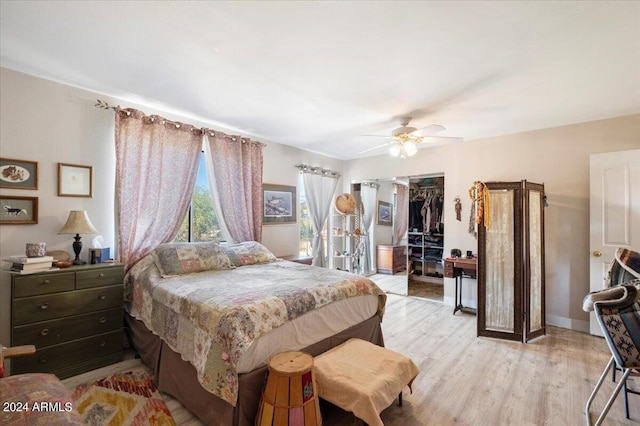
x: 54, y: 332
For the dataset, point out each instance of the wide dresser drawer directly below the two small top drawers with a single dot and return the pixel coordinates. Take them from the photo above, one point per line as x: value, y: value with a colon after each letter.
x: 47, y: 307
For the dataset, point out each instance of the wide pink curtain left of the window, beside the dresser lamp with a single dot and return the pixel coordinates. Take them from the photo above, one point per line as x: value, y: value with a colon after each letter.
x: 156, y: 169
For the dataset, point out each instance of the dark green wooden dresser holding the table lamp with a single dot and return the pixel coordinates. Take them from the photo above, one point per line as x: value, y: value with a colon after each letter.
x: 73, y: 316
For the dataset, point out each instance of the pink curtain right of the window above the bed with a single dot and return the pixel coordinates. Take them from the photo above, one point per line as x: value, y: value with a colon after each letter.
x: 234, y: 166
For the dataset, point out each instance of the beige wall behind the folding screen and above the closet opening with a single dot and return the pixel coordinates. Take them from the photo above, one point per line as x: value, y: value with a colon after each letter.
x: 557, y: 157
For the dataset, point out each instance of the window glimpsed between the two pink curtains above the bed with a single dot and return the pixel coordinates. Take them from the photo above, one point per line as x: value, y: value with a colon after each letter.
x: 201, y: 221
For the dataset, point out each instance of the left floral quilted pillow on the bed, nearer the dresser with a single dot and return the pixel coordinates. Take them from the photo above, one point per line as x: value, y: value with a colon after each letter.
x: 184, y: 258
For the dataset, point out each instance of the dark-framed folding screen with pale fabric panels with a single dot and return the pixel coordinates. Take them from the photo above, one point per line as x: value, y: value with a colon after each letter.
x: 511, y: 294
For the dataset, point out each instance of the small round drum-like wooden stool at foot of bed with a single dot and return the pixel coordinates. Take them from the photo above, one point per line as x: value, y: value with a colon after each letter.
x: 290, y: 396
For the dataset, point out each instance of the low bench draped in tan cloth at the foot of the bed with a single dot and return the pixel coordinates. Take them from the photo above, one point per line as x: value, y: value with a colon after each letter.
x: 363, y: 378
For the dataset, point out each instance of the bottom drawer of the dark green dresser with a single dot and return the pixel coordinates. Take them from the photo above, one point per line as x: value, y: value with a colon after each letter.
x: 56, y: 357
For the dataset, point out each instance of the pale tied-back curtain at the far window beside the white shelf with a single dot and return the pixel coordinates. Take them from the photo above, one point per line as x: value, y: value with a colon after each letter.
x: 319, y: 190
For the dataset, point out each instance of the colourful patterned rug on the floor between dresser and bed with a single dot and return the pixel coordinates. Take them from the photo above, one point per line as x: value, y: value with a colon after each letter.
x: 128, y: 398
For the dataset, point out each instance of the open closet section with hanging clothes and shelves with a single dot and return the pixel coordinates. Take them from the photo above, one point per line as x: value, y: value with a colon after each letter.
x: 426, y: 231
